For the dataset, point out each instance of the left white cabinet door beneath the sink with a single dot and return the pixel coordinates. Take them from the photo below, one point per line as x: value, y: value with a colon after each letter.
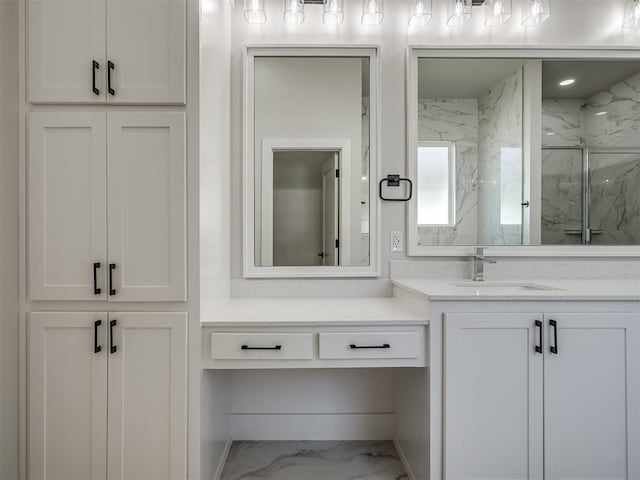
x: 493, y: 396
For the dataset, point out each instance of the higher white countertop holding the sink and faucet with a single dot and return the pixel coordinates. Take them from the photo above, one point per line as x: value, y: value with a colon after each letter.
x: 522, y: 290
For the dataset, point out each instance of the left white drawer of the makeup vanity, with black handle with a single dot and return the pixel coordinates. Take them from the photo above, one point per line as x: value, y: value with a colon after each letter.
x: 261, y: 346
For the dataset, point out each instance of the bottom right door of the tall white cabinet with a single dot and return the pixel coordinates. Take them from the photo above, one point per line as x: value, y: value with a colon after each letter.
x: 147, y: 396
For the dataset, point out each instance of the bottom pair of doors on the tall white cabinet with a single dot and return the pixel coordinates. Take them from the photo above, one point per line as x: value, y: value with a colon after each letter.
x: 107, y: 396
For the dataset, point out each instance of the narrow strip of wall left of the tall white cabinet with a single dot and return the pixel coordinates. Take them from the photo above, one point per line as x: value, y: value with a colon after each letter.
x: 9, y: 240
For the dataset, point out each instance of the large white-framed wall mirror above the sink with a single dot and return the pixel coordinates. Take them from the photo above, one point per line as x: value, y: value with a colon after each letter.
x: 526, y: 152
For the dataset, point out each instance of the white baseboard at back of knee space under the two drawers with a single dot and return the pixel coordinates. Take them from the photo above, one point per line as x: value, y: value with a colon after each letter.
x: 369, y: 426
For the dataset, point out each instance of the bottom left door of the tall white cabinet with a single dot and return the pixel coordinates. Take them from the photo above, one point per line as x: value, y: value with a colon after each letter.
x: 67, y: 405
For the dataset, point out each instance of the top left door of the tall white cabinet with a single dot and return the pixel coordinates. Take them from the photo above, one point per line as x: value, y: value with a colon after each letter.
x: 65, y: 38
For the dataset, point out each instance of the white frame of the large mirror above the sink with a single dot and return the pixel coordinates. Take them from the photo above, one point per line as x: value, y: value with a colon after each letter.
x: 532, y: 147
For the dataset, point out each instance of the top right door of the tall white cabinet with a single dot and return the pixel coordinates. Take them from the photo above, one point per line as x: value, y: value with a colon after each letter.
x: 146, y: 48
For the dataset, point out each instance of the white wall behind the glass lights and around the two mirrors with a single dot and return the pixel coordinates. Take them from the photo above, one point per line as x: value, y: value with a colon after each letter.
x: 574, y: 23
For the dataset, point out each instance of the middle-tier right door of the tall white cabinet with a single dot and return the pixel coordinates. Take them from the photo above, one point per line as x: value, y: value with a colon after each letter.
x: 147, y: 205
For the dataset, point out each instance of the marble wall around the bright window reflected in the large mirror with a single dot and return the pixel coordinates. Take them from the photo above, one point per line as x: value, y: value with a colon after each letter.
x: 454, y: 120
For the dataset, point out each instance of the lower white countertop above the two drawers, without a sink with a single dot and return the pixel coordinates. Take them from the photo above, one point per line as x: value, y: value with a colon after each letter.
x: 272, y: 312
